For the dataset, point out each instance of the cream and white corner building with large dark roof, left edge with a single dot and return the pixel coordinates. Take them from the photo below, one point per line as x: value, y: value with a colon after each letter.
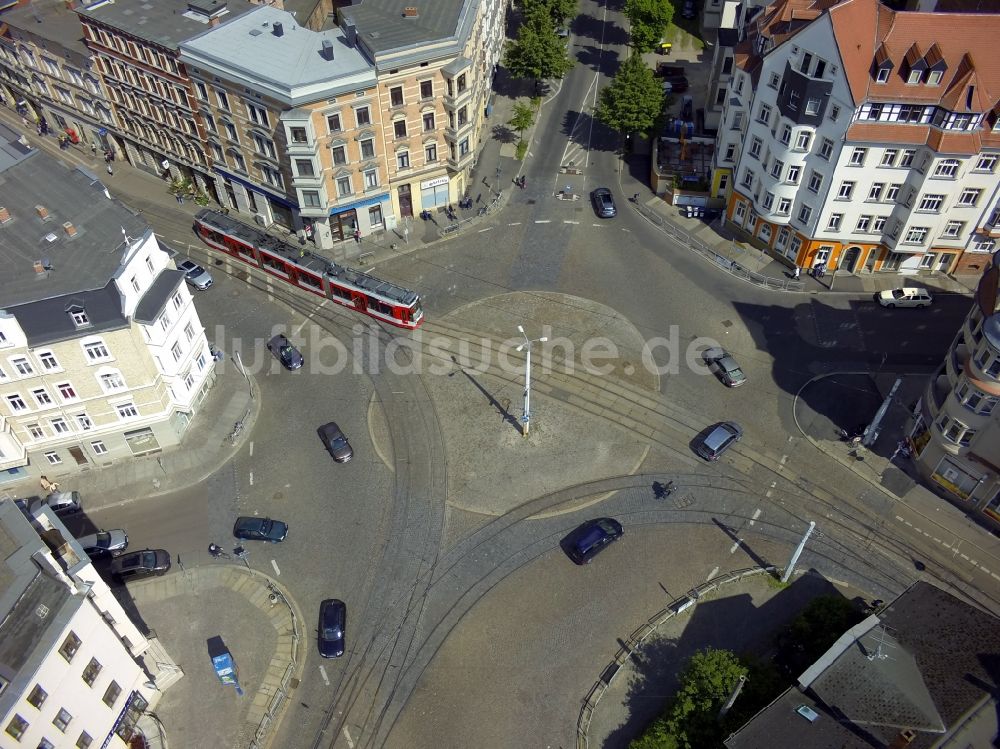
x: 102, y: 353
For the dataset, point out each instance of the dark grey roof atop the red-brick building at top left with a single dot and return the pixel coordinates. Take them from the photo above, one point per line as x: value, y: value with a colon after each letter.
x: 167, y: 22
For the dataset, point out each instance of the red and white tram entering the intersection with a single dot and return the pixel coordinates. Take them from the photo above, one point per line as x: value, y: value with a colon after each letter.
x: 350, y: 288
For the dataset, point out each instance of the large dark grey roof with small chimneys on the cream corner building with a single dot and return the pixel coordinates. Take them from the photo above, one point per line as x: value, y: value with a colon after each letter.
x: 85, y: 262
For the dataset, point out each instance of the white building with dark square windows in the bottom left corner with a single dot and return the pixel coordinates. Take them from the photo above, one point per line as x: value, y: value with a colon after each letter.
x: 74, y: 670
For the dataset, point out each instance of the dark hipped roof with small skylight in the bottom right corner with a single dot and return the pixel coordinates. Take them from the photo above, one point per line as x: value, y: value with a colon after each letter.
x: 925, y: 664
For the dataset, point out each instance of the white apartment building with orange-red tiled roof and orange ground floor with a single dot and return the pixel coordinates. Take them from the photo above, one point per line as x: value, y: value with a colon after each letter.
x: 863, y: 138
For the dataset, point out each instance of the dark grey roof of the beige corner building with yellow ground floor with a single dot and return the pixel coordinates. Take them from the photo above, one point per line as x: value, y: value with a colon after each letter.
x: 383, y: 26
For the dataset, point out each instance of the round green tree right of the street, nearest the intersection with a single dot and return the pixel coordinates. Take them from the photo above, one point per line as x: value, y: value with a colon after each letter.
x: 633, y: 101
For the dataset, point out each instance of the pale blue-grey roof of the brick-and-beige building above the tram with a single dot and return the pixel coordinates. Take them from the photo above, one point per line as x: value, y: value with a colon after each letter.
x: 291, y: 66
